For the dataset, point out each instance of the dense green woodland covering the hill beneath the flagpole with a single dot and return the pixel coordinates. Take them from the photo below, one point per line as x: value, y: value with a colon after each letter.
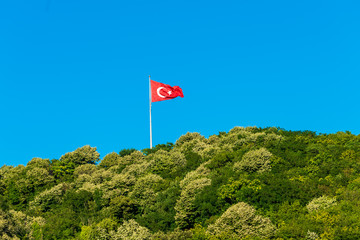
x: 249, y: 183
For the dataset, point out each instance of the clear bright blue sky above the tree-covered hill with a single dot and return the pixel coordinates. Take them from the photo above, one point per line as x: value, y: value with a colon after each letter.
x: 75, y: 72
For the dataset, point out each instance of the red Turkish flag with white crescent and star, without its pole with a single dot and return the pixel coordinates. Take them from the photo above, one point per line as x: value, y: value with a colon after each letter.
x: 161, y: 91
